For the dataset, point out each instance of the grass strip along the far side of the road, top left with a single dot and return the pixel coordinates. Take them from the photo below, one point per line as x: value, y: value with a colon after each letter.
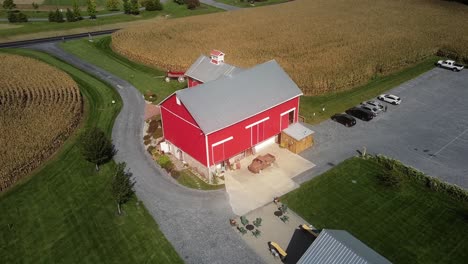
x: 170, y: 8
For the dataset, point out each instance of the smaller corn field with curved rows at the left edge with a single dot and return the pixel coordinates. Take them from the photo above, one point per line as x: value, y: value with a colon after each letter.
x: 39, y: 108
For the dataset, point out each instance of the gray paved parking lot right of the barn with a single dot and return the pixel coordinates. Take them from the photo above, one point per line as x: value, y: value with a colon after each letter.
x: 428, y: 131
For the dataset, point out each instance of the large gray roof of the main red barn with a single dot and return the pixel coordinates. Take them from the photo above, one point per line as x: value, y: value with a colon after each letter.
x: 217, y: 104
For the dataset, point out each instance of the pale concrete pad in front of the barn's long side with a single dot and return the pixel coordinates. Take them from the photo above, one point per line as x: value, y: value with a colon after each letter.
x: 248, y: 191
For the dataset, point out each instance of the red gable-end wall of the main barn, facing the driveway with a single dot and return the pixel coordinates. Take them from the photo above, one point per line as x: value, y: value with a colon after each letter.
x: 181, y: 130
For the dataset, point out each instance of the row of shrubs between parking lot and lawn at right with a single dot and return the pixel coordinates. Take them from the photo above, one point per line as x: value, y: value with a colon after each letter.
x: 399, y: 169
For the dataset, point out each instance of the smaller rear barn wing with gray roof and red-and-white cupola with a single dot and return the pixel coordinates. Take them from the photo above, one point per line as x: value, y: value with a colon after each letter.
x: 206, y: 69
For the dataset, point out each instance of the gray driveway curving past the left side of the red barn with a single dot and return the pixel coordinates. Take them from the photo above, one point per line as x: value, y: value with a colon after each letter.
x: 195, y: 222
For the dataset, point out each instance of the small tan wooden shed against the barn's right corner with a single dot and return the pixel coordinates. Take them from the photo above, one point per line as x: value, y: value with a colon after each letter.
x: 296, y: 138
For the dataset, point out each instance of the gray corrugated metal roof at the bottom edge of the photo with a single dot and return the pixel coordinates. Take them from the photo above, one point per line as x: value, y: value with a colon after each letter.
x: 339, y: 247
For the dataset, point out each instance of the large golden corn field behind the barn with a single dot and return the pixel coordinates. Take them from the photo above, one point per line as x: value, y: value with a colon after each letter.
x: 324, y: 45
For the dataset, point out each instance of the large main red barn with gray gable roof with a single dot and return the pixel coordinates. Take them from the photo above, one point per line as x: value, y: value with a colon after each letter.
x: 213, y: 124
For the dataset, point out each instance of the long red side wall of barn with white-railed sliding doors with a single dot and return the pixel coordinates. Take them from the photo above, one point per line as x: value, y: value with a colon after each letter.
x: 246, y: 138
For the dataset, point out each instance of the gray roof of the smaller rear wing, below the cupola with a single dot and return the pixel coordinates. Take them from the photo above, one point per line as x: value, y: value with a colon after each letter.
x: 203, y: 70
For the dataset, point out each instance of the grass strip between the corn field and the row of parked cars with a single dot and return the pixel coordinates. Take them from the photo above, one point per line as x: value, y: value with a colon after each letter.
x: 339, y: 102
